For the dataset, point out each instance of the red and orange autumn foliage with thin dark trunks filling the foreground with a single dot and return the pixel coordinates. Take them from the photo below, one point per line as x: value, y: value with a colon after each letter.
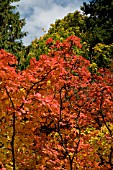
x: 56, y: 114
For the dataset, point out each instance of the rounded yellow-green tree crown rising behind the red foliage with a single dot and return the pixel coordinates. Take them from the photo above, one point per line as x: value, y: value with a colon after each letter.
x: 93, y: 47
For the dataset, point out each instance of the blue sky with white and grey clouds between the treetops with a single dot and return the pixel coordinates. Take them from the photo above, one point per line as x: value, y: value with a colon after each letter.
x: 40, y: 14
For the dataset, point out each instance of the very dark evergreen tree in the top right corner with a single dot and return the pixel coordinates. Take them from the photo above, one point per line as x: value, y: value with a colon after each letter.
x: 99, y: 23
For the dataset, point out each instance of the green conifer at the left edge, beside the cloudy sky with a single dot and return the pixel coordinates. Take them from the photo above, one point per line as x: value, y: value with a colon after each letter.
x: 10, y: 27
